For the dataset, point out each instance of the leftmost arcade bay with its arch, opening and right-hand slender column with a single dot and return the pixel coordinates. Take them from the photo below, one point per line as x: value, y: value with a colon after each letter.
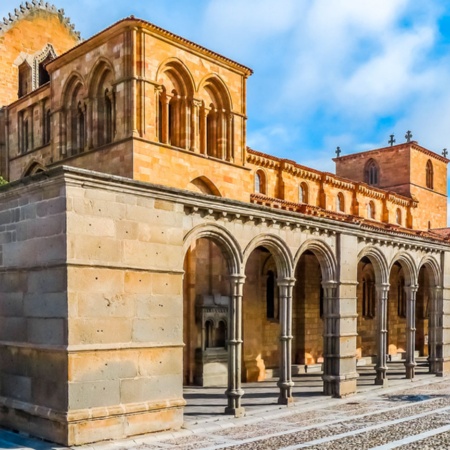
x: 212, y: 295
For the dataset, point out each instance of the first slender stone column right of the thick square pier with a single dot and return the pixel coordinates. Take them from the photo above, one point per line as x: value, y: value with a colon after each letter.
x: 381, y: 367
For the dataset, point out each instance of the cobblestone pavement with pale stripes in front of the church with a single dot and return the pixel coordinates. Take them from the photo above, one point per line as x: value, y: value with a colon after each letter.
x: 407, y: 416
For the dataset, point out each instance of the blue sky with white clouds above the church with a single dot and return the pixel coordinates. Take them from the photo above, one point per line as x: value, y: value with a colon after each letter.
x: 327, y: 73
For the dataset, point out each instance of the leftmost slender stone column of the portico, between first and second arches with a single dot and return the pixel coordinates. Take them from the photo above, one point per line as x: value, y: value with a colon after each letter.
x: 234, y: 392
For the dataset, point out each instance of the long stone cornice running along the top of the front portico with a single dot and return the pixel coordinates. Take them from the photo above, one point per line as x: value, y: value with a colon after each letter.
x: 260, y: 209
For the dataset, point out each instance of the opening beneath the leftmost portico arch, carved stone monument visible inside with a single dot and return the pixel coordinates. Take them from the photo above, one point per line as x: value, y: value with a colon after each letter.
x: 206, y: 305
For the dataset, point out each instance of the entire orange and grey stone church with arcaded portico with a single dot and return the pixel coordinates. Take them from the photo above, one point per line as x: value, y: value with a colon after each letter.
x: 145, y: 247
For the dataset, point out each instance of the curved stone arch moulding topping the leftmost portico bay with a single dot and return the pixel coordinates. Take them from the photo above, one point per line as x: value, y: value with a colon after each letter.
x: 223, y: 239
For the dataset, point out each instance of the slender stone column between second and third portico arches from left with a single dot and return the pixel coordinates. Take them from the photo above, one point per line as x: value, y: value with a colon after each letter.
x: 285, y: 382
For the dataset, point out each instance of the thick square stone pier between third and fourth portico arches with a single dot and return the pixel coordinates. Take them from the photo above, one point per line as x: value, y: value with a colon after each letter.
x: 339, y: 344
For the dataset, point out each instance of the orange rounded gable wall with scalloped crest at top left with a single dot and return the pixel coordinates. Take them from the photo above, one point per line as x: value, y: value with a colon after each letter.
x: 29, y: 34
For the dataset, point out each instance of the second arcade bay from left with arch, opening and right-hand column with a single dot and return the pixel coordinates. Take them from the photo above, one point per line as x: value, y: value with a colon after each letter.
x: 267, y: 313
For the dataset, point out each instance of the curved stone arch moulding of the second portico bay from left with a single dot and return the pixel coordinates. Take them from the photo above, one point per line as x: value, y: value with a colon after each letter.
x: 280, y: 252
